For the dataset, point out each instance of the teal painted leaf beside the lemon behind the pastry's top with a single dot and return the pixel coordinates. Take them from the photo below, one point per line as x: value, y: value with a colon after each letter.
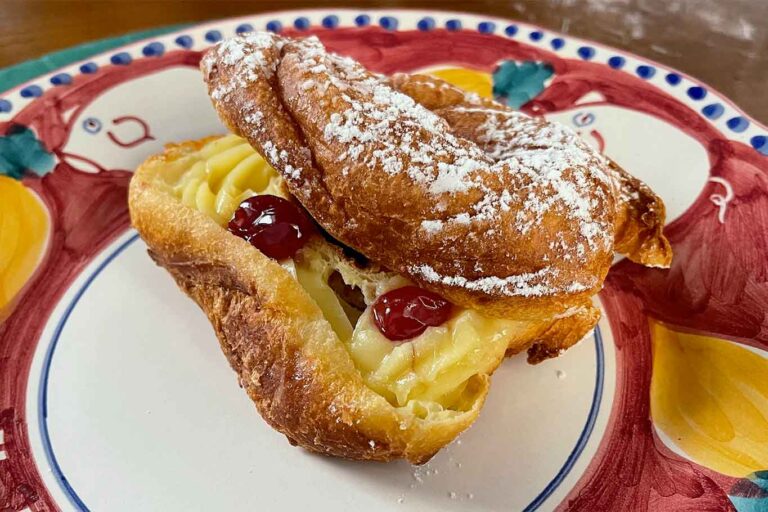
x: 518, y: 83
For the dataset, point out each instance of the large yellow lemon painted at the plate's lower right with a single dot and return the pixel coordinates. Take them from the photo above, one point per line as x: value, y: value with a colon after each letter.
x: 710, y: 397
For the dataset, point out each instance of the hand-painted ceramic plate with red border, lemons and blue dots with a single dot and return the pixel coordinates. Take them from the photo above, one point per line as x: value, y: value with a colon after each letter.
x: 114, y: 394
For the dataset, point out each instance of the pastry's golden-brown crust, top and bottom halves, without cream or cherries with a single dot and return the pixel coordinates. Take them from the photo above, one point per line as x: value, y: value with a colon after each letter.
x: 287, y: 356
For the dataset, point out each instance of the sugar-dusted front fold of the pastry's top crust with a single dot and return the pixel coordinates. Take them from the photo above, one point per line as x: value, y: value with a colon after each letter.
x: 518, y: 257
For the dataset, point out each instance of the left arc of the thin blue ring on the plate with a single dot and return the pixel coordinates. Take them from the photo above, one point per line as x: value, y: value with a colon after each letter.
x: 43, y: 393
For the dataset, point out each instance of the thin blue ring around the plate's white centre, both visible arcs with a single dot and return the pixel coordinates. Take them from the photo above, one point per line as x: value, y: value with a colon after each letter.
x: 76, y: 501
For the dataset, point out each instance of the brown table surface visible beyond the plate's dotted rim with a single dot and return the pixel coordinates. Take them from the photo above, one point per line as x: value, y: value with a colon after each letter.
x: 722, y: 43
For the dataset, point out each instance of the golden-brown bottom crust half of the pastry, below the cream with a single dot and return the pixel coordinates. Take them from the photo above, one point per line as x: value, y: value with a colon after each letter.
x: 286, y: 356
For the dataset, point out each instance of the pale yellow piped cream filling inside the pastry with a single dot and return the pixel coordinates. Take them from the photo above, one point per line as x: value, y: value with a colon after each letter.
x: 428, y: 374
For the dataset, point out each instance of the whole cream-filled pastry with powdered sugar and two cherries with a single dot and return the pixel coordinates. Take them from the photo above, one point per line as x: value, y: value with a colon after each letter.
x: 369, y: 248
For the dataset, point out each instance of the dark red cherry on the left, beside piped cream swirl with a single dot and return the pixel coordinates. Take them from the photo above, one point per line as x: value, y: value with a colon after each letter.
x: 273, y: 225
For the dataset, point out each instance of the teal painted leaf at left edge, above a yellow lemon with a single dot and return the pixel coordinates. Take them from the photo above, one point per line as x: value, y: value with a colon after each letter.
x: 21, y: 151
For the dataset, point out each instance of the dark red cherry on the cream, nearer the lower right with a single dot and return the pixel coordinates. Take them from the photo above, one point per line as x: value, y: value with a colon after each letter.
x: 406, y: 312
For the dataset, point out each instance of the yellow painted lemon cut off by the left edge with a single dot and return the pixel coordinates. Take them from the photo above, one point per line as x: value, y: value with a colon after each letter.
x: 23, y: 233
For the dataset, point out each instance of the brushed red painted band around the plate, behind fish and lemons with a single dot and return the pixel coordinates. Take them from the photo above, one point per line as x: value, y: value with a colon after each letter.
x: 631, y: 470
